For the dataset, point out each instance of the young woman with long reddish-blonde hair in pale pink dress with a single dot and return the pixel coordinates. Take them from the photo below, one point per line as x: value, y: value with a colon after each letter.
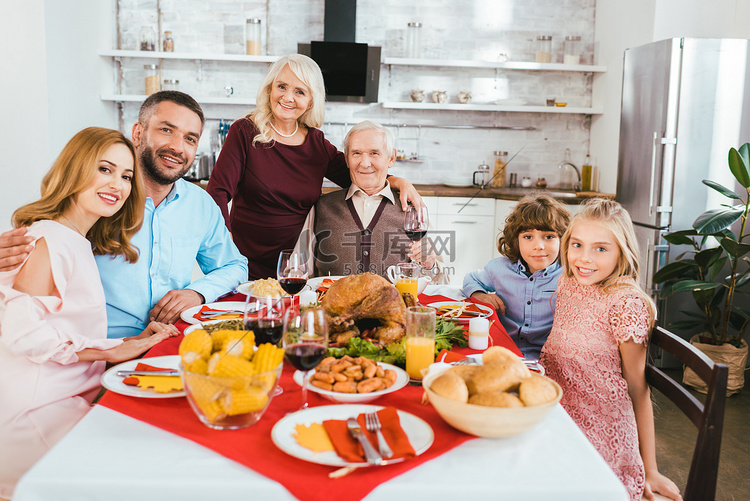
x: 53, y: 334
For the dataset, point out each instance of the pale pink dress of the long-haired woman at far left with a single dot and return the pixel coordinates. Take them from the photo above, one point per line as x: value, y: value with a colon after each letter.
x: 45, y: 390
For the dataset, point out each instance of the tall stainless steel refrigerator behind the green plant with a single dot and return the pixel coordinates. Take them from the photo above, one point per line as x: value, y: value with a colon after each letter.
x: 685, y: 102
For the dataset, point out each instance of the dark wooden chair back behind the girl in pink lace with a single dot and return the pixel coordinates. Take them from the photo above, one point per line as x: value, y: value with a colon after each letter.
x: 708, y: 417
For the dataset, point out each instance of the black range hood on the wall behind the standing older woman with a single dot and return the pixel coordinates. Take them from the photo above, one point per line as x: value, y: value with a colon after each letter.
x: 351, y: 70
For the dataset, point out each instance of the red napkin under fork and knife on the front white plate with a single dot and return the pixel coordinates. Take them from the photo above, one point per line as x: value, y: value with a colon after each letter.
x: 349, y: 449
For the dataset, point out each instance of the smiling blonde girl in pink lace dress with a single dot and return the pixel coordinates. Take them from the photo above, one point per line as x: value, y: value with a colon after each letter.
x: 597, y: 348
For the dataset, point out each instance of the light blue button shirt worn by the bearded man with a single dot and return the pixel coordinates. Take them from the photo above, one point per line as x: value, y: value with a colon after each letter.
x: 186, y: 227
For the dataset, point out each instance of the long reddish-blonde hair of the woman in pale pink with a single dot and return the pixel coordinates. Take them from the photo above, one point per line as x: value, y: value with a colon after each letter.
x: 71, y: 173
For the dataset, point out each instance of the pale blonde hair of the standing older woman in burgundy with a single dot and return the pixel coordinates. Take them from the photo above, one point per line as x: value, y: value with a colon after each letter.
x: 306, y: 70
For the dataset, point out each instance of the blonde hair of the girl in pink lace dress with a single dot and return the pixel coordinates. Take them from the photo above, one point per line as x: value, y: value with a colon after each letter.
x: 612, y: 216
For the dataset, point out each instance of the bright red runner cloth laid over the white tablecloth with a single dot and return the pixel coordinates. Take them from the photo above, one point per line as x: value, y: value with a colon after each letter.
x: 253, y: 447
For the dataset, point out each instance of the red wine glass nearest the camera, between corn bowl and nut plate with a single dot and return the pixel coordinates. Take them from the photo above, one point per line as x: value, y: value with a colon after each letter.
x: 305, y: 341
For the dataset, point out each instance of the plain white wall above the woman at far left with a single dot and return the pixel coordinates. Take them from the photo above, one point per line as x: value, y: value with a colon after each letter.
x: 50, y: 86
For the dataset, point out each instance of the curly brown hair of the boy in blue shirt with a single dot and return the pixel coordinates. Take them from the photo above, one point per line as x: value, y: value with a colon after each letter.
x: 535, y: 211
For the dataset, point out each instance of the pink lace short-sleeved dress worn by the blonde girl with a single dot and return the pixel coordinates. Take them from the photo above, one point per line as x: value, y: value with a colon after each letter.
x: 582, y: 355
